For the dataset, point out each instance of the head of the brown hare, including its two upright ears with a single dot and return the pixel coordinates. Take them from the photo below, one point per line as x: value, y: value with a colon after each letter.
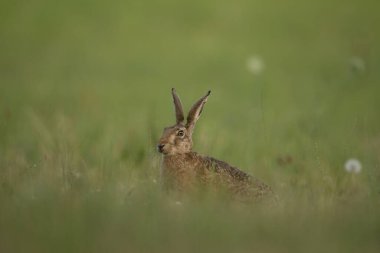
x: 177, y: 139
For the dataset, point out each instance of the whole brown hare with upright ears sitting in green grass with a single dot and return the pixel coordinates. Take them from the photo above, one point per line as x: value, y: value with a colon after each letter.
x: 184, y: 169
